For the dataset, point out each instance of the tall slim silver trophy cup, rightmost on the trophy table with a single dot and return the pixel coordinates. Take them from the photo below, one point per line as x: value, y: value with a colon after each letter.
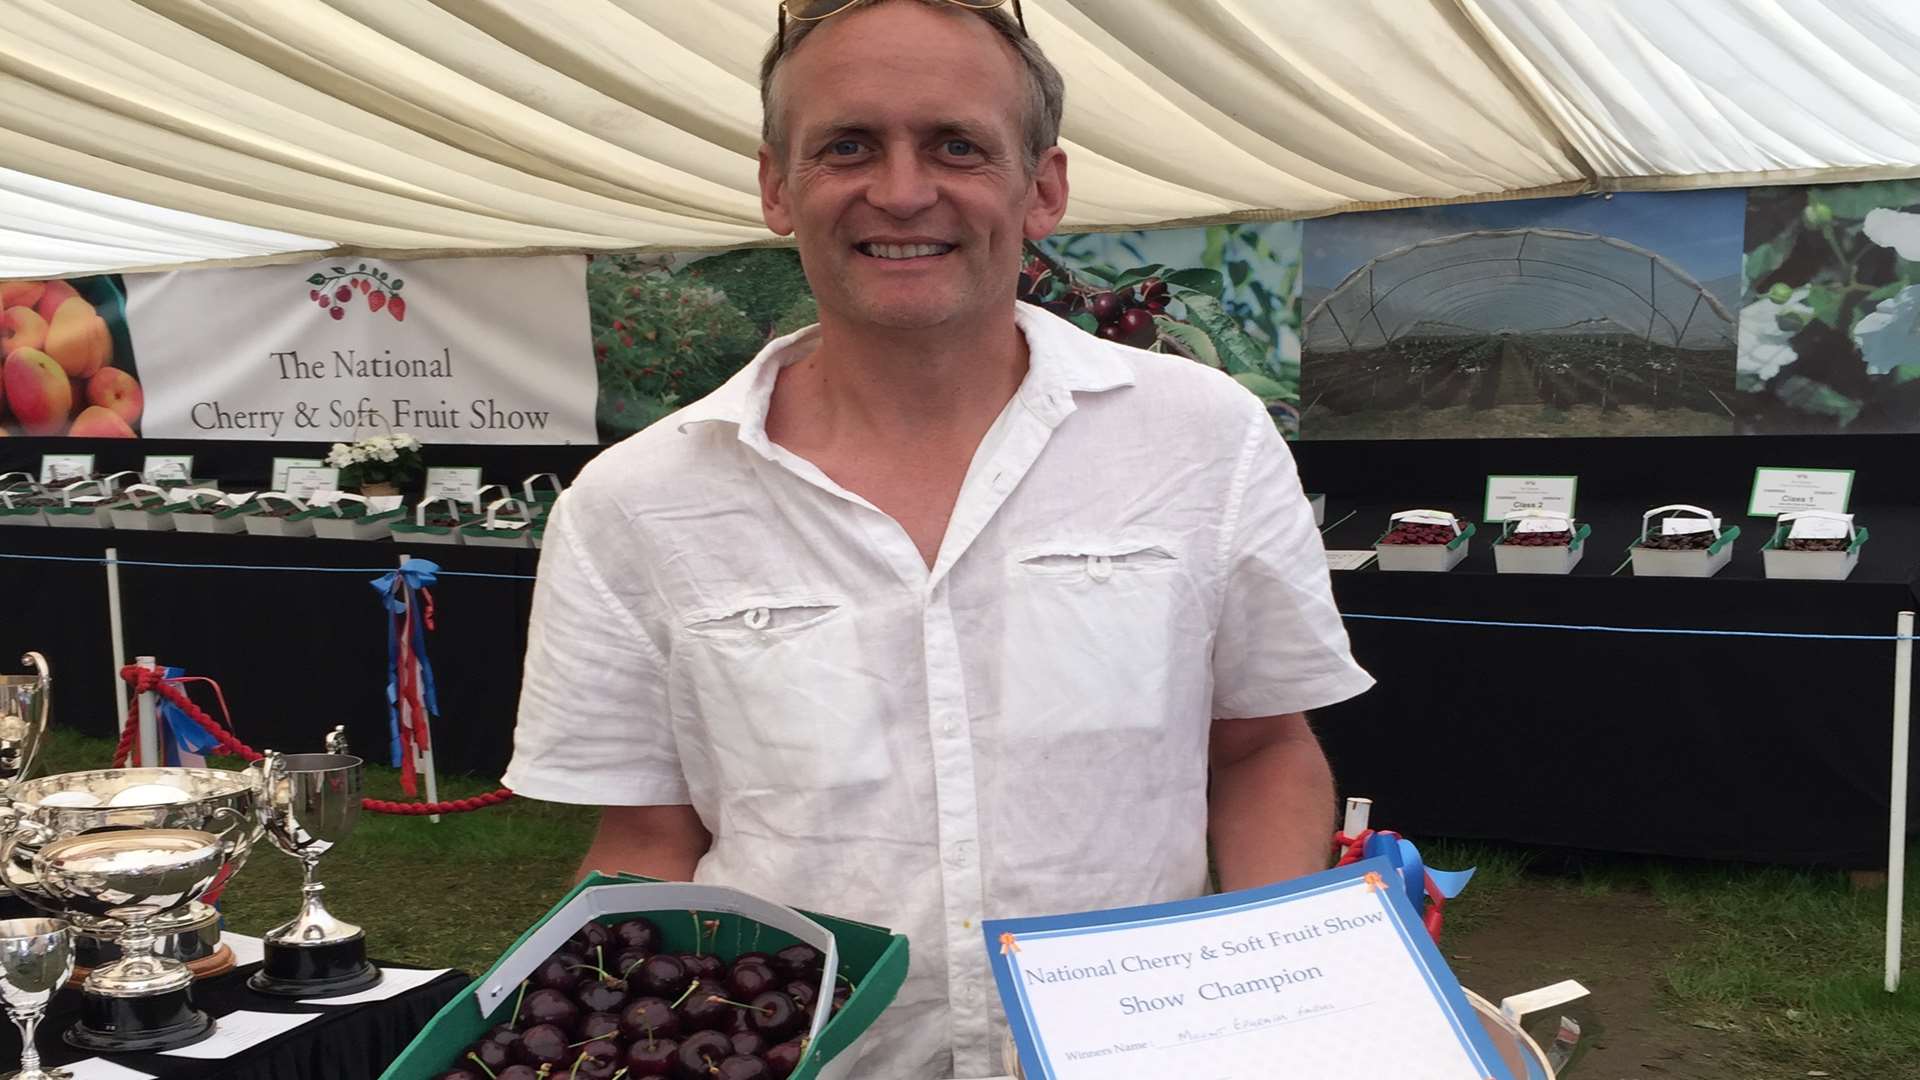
x: 310, y: 804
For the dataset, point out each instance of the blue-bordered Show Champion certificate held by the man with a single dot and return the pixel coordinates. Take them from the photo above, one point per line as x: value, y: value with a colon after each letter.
x: 1328, y: 975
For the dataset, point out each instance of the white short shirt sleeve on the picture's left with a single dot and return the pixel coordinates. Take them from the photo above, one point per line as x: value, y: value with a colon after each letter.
x: 594, y: 724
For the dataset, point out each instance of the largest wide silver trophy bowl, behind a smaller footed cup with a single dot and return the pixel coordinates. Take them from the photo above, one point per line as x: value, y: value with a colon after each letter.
x: 76, y: 804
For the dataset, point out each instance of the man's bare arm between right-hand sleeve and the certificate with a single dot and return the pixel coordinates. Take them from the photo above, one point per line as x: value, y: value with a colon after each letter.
x: 1270, y: 808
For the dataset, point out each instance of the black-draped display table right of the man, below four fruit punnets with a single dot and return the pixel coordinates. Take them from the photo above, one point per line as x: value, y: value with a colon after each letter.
x: 1716, y: 747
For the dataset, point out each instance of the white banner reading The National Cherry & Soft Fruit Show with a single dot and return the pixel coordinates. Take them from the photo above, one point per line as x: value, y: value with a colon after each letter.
x: 448, y: 351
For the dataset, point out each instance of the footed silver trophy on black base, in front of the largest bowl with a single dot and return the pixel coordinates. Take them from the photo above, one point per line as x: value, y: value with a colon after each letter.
x: 132, y: 877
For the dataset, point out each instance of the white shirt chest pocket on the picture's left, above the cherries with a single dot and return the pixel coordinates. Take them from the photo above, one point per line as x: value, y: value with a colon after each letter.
x: 784, y: 695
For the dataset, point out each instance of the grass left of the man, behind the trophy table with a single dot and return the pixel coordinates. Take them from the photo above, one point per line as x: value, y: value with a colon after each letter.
x: 435, y: 895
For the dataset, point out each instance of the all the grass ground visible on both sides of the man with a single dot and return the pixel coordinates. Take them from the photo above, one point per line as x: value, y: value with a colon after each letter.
x: 1788, y: 958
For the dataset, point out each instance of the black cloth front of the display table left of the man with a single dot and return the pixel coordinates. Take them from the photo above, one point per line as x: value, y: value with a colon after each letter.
x: 272, y: 639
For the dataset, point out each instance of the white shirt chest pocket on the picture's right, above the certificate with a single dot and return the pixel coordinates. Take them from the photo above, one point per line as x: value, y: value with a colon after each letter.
x: 1093, y: 637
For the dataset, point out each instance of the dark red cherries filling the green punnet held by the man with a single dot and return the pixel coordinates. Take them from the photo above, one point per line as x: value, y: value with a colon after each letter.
x: 615, y: 1004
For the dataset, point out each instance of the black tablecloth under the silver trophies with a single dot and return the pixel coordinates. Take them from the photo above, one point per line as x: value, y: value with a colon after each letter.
x: 345, y: 1043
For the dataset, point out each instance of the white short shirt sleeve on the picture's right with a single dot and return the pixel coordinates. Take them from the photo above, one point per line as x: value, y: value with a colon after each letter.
x: 1282, y: 645
